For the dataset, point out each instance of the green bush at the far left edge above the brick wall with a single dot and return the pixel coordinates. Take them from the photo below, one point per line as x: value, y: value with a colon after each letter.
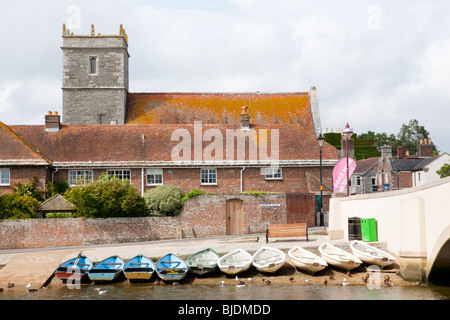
x: 16, y: 206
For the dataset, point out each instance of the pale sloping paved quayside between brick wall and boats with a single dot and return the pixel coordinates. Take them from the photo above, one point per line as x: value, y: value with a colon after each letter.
x: 38, y: 265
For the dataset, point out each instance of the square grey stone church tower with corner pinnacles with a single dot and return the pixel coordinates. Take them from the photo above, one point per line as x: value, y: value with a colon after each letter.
x: 95, y: 78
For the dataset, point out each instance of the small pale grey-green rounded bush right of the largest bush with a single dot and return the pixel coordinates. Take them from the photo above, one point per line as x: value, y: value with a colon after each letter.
x: 164, y: 201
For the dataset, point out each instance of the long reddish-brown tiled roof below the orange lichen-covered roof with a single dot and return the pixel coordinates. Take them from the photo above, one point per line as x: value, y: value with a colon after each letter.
x: 150, y: 144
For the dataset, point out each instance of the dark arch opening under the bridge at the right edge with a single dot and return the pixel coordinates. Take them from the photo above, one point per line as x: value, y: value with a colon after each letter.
x: 438, y: 264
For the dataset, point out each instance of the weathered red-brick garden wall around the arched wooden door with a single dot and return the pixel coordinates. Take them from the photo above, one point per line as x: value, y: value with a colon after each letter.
x: 202, y: 216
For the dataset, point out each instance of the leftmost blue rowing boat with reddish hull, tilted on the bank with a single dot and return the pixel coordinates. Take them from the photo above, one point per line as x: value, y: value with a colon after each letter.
x: 75, y: 269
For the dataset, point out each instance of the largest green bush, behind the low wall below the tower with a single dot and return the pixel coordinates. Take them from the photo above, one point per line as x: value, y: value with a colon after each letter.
x: 108, y: 197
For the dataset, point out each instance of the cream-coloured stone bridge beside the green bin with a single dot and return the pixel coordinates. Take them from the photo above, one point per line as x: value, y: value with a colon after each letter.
x: 414, y: 223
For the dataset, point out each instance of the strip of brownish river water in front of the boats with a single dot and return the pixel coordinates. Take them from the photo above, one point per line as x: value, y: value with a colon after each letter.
x: 126, y: 291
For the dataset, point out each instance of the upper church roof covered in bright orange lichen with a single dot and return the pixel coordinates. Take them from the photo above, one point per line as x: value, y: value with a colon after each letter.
x: 220, y: 108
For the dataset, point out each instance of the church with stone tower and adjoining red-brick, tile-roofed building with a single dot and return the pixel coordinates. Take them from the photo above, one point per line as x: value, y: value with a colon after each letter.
x: 217, y: 142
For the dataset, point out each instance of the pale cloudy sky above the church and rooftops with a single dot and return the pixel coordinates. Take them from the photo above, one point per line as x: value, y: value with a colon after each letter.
x: 376, y: 64
